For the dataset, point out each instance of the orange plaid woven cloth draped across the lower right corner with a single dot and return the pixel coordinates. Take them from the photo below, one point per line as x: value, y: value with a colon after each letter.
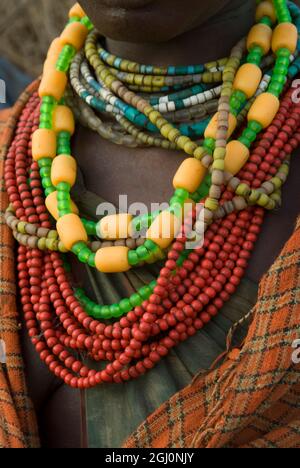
x: 253, y: 399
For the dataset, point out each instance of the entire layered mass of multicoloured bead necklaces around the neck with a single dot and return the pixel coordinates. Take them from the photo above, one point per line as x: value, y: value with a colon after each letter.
x: 236, y: 125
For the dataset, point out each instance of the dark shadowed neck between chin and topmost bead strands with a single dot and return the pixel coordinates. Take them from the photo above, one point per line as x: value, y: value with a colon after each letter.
x: 207, y: 42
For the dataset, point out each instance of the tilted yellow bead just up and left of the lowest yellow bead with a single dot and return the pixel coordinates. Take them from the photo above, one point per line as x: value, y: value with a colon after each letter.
x: 71, y: 230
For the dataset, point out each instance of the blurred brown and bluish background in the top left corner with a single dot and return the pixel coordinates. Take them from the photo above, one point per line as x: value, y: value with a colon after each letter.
x: 26, y: 30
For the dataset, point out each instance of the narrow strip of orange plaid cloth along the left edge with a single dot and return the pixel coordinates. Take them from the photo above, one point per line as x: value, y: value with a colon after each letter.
x: 18, y: 428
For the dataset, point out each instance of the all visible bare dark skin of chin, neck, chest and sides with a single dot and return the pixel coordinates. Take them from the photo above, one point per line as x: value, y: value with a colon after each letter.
x: 160, y: 32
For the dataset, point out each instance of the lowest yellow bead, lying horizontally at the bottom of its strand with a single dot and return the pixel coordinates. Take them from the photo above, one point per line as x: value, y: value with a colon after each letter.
x: 112, y: 260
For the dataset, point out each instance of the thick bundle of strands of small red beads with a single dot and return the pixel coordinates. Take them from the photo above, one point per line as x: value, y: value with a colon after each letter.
x: 182, y: 303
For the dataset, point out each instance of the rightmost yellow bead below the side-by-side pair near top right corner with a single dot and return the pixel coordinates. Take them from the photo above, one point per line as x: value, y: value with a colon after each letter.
x: 264, y: 109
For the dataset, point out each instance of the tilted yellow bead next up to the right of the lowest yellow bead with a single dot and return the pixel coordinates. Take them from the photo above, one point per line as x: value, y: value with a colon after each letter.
x: 163, y: 229
